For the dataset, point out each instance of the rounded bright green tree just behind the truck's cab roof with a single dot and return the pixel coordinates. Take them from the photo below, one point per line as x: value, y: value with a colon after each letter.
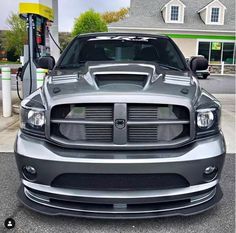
x: 89, y: 21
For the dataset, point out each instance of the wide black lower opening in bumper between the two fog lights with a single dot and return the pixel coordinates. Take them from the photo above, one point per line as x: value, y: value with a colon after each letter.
x: 119, y: 181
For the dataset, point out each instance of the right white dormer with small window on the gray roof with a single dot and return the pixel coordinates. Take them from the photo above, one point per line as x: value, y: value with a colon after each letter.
x: 213, y: 13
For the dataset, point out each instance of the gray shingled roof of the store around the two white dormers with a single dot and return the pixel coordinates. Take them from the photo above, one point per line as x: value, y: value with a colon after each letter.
x: 147, y: 14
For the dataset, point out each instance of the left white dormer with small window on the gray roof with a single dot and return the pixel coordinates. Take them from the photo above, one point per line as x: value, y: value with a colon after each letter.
x: 173, y: 12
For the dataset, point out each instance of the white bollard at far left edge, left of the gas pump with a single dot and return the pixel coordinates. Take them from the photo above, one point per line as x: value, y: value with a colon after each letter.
x: 6, y: 92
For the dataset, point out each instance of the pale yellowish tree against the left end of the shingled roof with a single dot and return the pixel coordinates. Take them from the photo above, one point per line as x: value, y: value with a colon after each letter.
x: 114, y: 16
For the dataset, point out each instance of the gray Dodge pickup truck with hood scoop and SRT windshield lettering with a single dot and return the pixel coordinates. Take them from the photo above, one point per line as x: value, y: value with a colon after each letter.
x: 120, y: 129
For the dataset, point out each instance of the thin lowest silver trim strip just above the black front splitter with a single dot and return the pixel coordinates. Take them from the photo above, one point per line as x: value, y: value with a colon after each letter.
x: 208, y: 196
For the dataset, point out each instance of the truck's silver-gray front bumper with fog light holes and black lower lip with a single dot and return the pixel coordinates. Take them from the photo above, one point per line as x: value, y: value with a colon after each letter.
x: 189, y: 162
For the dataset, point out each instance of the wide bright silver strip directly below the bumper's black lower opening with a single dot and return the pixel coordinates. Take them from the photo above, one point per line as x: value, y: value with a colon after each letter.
x: 120, y: 194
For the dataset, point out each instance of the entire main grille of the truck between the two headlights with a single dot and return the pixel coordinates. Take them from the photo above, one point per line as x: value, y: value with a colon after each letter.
x: 95, y: 124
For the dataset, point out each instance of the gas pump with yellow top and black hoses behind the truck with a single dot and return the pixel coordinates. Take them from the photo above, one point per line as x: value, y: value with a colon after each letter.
x: 38, y: 15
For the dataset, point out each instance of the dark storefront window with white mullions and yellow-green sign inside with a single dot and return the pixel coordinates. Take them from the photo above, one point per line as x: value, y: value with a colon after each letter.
x: 216, y: 52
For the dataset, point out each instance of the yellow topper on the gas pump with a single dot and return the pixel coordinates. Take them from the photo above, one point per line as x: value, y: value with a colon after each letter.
x: 38, y: 7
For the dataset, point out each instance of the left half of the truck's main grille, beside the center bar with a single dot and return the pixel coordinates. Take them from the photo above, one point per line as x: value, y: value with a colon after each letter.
x: 69, y: 122
